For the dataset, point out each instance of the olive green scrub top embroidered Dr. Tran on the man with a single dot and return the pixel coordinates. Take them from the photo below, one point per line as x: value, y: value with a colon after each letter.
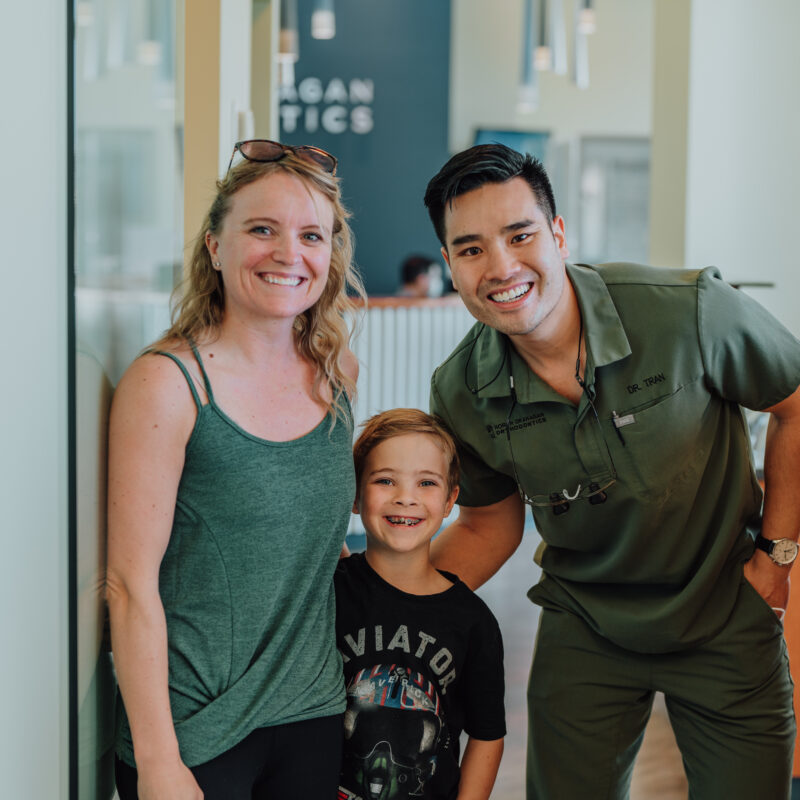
x: 671, y: 356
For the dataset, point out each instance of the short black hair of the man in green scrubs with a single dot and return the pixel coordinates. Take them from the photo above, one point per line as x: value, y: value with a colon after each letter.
x: 479, y: 165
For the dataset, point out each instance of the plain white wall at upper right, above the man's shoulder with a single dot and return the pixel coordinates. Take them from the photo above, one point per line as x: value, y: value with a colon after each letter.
x: 743, y: 159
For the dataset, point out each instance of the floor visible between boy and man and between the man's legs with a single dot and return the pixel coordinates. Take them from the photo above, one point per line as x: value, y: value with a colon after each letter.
x: 658, y: 774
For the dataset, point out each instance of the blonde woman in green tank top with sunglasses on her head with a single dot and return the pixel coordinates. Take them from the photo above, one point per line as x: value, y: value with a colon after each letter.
x: 230, y: 488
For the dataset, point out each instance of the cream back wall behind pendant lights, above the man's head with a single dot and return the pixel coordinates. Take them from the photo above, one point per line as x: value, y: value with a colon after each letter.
x: 486, y: 66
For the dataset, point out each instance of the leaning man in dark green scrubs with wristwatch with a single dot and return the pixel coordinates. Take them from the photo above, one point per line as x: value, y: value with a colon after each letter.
x: 609, y: 399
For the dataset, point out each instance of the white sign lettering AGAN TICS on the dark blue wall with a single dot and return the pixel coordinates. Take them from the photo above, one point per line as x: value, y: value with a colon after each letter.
x: 335, y: 106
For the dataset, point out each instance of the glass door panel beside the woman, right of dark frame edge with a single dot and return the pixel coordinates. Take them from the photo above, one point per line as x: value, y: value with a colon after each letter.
x: 128, y: 254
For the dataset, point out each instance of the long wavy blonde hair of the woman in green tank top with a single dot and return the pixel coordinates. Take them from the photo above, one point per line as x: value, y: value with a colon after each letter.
x: 322, y: 332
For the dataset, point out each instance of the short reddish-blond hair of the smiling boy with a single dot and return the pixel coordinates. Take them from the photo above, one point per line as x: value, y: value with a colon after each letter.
x: 399, y: 422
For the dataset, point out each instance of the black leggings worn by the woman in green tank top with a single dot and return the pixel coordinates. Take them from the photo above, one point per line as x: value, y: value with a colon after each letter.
x: 297, y: 761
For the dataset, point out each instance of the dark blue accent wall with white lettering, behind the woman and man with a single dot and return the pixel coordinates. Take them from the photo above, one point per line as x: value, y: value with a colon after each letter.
x: 389, y: 147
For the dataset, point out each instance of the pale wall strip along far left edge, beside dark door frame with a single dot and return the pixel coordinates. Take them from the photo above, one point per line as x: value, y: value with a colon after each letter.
x: 33, y: 403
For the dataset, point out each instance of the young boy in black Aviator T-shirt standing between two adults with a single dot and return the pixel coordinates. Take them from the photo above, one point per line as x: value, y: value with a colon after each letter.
x: 423, y: 656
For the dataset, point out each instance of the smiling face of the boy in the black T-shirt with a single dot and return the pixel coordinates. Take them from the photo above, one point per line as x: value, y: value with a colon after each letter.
x: 403, y: 495
